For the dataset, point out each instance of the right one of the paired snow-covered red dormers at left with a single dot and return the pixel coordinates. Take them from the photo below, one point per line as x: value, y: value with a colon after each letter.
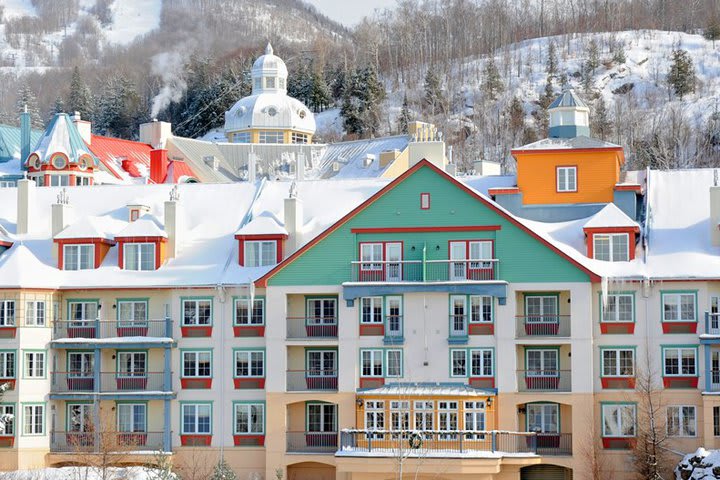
x: 141, y: 245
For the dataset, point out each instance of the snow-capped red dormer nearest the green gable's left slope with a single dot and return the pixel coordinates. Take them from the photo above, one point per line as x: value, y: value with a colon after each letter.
x: 261, y: 242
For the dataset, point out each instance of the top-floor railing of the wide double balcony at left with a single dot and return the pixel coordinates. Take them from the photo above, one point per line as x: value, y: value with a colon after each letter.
x: 105, y: 329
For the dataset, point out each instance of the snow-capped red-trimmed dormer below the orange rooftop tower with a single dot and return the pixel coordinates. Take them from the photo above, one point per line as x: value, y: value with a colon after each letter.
x: 611, y: 235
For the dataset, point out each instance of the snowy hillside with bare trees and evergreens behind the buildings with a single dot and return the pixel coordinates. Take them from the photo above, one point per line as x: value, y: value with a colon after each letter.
x: 483, y: 70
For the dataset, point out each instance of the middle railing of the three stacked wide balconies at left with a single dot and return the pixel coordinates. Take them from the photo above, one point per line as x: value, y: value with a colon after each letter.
x: 76, y: 382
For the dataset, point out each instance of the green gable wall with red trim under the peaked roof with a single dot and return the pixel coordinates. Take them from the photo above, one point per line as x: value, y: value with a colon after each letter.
x: 454, y: 212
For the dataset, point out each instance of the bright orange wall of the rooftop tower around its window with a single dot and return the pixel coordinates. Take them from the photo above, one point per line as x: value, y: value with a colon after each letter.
x: 597, y: 173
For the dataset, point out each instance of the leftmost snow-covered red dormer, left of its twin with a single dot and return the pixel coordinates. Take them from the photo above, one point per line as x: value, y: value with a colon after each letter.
x: 83, y: 245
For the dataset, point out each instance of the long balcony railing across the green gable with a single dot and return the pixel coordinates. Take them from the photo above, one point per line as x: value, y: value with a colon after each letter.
x: 425, y: 271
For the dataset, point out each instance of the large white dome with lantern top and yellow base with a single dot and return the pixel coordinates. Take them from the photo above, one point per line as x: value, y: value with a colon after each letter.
x: 269, y: 115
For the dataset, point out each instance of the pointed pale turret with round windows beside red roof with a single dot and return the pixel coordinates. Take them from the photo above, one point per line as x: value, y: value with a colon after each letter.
x: 61, y: 157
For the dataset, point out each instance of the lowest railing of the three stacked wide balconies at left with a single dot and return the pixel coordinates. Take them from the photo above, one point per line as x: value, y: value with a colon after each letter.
x: 105, y: 442
